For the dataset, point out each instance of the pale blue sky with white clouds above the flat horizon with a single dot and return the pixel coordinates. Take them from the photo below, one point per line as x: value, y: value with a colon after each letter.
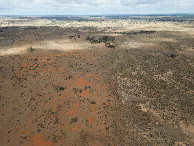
x: 94, y: 7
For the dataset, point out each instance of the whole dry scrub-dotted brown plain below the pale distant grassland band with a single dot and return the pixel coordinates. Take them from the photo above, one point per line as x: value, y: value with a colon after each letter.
x: 96, y: 87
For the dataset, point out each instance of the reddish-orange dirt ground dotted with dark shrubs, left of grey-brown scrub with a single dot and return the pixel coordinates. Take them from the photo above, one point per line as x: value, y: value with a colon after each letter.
x: 46, y: 91
